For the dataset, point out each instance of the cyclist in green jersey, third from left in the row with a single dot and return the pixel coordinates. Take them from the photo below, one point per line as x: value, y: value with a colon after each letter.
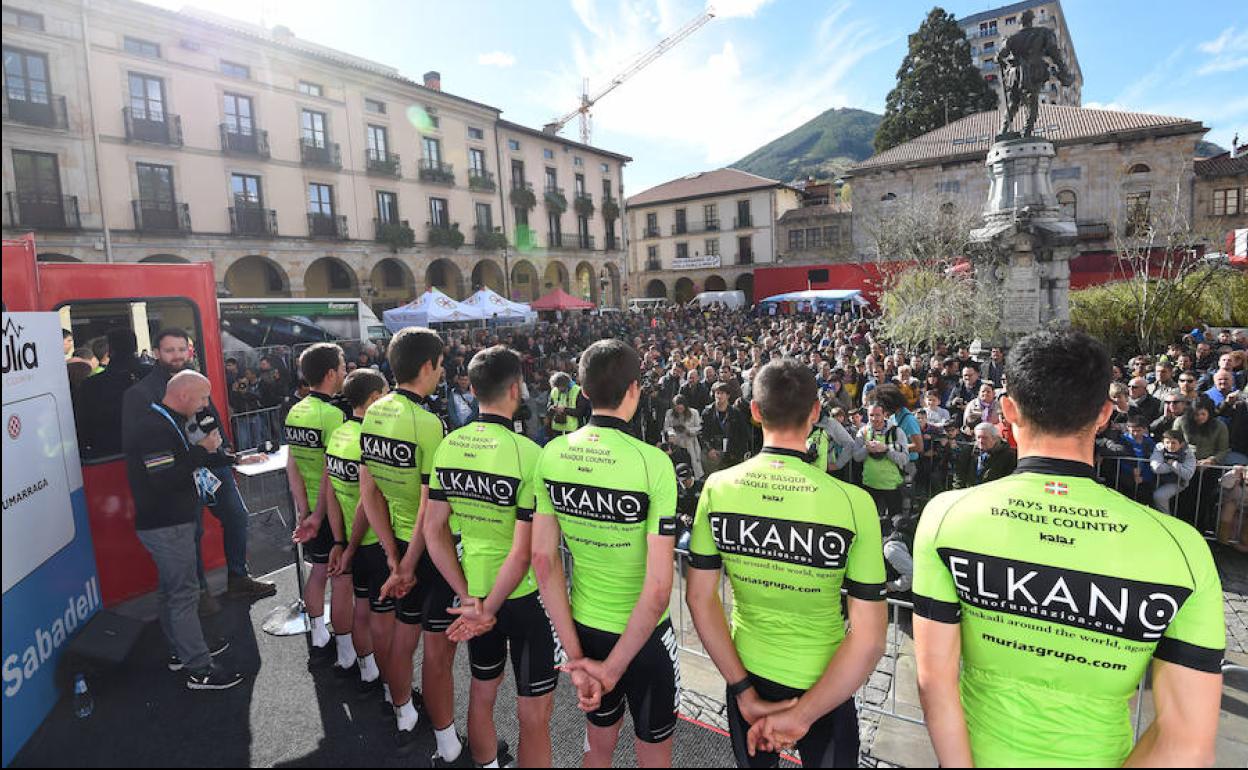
x: 399, y: 440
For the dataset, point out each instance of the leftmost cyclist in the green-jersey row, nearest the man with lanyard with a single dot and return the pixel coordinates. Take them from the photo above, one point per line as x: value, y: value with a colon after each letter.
x: 309, y: 426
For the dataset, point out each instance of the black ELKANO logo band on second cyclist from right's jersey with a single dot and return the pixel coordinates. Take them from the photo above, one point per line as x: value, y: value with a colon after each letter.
x: 782, y: 541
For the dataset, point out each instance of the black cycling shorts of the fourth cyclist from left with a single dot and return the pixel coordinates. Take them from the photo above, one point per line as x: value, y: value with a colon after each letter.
x: 522, y: 628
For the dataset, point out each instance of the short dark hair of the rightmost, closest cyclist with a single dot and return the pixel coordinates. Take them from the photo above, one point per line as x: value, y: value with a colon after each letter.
x: 1059, y: 381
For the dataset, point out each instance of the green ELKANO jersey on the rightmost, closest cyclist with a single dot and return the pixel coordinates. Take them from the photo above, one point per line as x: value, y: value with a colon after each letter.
x: 1064, y: 590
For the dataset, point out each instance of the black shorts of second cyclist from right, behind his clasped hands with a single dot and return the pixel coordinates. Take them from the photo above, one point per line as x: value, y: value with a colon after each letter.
x: 832, y: 742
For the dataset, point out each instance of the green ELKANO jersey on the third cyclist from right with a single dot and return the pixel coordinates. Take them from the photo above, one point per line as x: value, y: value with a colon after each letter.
x: 610, y: 491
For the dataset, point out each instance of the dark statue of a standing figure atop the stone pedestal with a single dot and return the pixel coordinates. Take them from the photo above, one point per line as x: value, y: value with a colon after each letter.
x: 1023, y: 62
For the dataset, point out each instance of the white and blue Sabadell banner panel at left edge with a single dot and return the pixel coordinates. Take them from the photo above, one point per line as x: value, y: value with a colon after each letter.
x: 51, y: 585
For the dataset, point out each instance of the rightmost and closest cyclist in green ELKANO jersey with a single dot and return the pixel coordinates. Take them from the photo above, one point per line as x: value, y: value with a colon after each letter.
x: 1056, y: 592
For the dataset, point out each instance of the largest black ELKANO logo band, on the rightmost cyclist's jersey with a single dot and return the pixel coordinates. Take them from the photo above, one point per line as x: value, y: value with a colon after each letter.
x: 1129, y: 610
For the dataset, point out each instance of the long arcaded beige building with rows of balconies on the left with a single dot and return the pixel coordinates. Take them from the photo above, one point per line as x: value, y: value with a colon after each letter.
x: 135, y: 134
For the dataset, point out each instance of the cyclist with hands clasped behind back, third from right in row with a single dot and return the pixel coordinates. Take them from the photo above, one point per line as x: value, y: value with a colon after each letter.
x: 615, y: 500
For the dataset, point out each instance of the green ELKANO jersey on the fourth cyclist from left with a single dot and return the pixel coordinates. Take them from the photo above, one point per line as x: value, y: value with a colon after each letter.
x: 485, y: 471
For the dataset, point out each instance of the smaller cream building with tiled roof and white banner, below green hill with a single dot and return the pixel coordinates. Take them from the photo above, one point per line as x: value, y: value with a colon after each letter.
x: 706, y: 233
